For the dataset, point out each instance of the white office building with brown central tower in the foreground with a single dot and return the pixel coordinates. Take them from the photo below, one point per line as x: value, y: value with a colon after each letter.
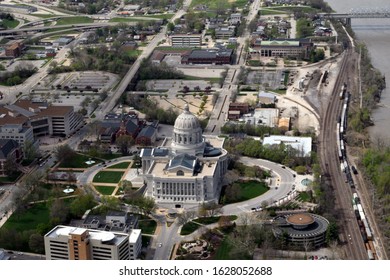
x: 73, y: 243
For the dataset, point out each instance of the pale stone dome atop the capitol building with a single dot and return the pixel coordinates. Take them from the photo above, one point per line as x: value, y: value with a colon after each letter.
x: 187, y: 134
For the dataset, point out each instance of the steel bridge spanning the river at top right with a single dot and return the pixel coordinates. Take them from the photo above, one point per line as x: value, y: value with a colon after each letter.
x: 359, y: 13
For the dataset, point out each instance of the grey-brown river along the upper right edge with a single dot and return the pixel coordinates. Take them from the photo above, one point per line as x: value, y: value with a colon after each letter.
x: 376, y: 35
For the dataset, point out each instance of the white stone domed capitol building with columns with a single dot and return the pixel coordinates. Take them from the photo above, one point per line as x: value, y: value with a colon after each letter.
x: 186, y: 169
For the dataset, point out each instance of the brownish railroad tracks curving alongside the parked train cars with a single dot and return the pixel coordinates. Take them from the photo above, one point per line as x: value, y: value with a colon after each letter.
x: 349, y: 230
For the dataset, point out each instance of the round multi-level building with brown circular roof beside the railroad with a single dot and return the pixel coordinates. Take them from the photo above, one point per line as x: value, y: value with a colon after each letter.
x: 301, y: 228
